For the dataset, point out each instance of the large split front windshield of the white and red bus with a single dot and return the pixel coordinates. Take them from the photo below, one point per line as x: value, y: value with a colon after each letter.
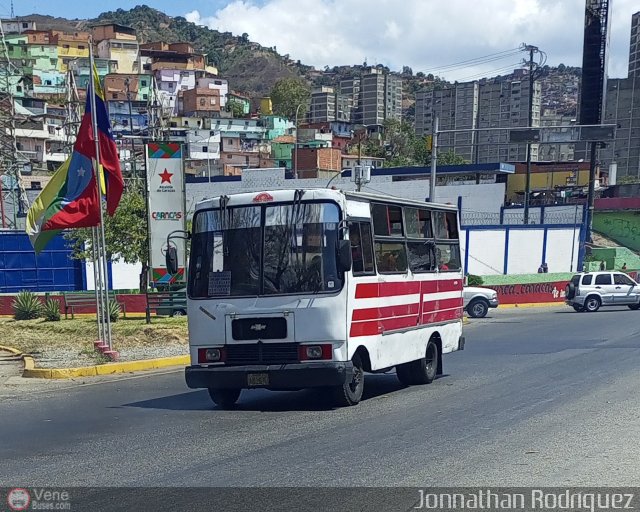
x: 265, y: 250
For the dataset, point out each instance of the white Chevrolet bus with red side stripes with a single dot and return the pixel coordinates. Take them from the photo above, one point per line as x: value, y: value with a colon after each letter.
x: 294, y: 289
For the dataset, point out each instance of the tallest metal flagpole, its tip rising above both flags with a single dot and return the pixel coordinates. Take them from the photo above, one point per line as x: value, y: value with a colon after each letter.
x: 102, y: 252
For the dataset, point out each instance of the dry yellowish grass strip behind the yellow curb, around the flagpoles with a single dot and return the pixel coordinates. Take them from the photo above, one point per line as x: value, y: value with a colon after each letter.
x: 33, y: 336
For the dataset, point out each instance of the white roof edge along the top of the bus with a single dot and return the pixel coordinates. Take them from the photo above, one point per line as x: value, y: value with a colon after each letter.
x: 284, y: 195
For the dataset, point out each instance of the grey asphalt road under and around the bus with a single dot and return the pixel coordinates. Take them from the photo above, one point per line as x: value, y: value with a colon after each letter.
x: 538, y: 397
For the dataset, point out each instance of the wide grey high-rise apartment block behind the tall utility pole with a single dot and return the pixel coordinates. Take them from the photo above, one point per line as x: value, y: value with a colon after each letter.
x: 487, y: 105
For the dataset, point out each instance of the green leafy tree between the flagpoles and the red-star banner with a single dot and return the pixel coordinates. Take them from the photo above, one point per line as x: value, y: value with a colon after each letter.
x: 125, y: 234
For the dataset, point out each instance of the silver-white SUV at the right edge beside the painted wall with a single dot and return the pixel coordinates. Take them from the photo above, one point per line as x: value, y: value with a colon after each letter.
x: 589, y: 291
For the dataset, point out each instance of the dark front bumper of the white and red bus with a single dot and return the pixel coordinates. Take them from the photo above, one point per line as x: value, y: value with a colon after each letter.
x: 276, y: 377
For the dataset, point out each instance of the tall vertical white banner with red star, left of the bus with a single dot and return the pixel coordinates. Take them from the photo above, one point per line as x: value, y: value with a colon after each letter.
x: 166, y: 193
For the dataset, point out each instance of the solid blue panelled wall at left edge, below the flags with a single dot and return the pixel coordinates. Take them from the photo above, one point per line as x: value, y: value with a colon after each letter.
x: 52, y: 270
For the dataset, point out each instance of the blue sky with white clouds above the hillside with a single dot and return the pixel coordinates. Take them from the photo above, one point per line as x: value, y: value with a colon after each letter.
x: 427, y: 35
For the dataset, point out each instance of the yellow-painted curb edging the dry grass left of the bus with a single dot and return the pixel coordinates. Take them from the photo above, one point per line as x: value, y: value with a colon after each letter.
x: 31, y: 372
